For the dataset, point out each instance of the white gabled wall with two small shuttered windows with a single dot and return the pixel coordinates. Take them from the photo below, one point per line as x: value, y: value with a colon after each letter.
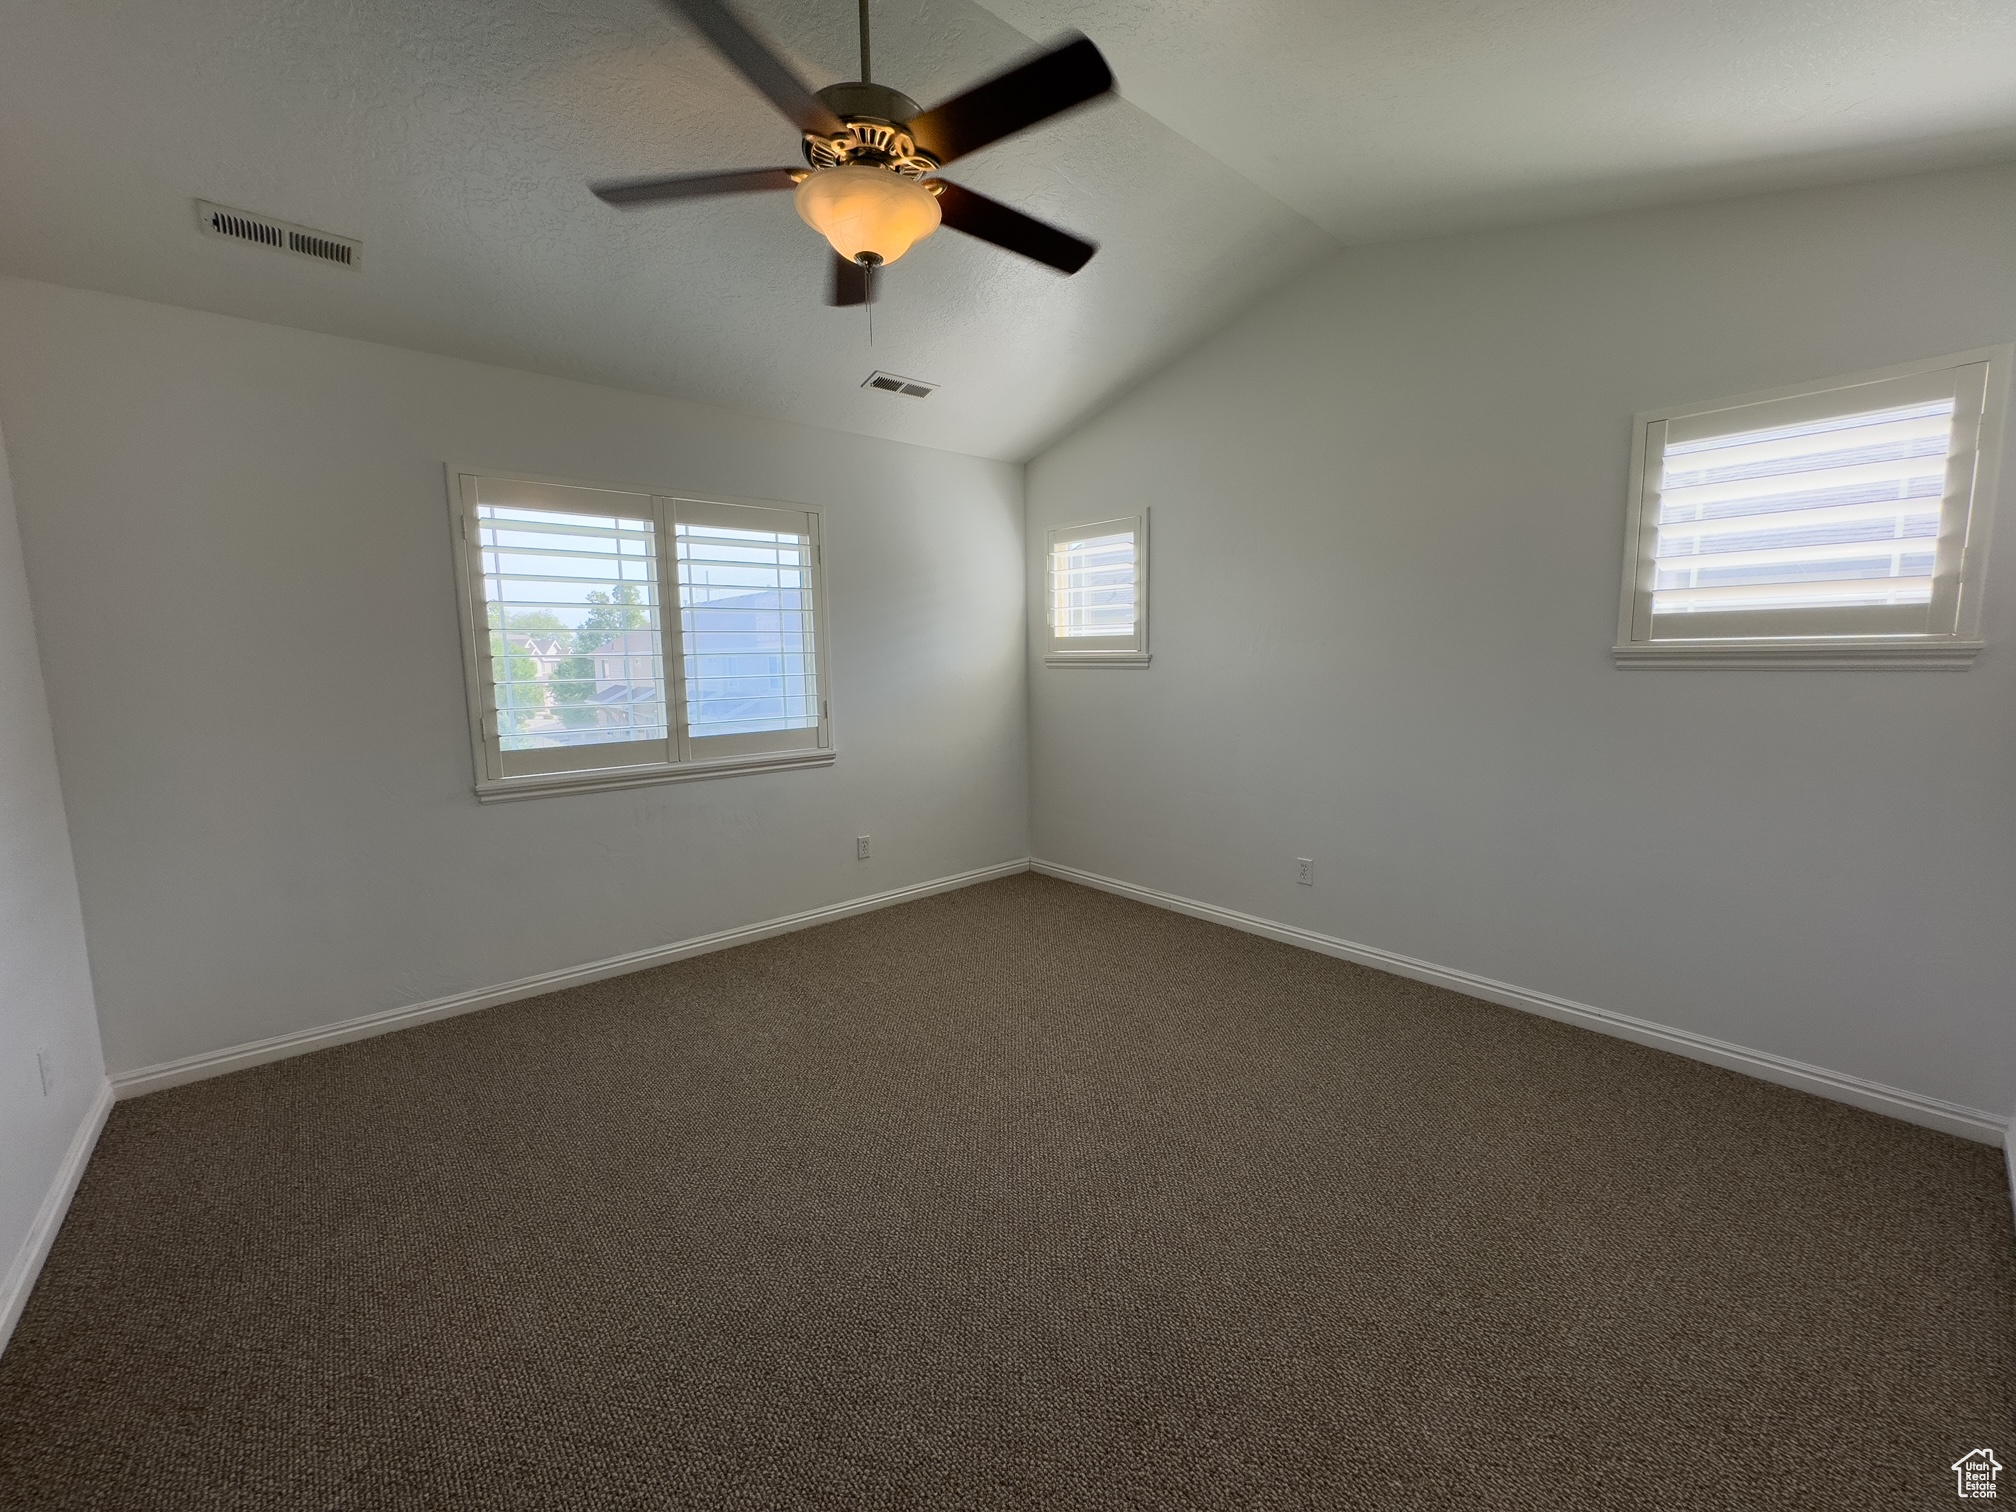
x: 1388, y: 525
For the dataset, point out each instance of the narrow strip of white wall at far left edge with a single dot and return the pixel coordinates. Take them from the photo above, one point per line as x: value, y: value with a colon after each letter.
x: 45, y: 981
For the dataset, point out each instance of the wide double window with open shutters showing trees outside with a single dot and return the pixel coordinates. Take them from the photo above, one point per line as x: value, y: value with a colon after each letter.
x: 620, y: 638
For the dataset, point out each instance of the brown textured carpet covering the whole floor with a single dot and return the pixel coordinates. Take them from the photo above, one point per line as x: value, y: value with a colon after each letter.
x: 1013, y: 1199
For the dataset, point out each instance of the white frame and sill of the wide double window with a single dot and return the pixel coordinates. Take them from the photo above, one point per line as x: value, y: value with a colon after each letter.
x: 493, y: 785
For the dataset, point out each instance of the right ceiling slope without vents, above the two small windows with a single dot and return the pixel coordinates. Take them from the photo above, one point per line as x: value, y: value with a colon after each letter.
x: 1396, y: 118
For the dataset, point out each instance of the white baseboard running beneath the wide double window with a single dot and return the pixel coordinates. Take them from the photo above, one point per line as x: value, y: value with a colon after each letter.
x: 239, y: 1057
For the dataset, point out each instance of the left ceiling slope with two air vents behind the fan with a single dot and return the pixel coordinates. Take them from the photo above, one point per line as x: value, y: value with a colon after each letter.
x: 455, y: 140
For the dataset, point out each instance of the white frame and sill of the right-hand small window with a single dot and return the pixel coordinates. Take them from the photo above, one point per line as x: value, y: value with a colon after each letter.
x: 1938, y: 650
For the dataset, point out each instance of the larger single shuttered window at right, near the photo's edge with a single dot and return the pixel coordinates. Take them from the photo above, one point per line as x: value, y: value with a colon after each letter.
x: 1838, y: 525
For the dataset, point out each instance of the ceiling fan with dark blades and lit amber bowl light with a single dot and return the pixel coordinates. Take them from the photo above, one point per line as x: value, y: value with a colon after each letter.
x: 874, y: 154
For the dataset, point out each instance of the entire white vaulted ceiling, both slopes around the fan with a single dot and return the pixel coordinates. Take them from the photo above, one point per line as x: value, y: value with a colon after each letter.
x: 1251, y: 138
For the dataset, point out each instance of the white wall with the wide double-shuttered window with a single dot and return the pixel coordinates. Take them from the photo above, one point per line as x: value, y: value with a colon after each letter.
x: 241, y: 559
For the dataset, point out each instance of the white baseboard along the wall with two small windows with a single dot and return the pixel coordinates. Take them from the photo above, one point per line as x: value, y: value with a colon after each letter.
x: 1898, y: 1104
